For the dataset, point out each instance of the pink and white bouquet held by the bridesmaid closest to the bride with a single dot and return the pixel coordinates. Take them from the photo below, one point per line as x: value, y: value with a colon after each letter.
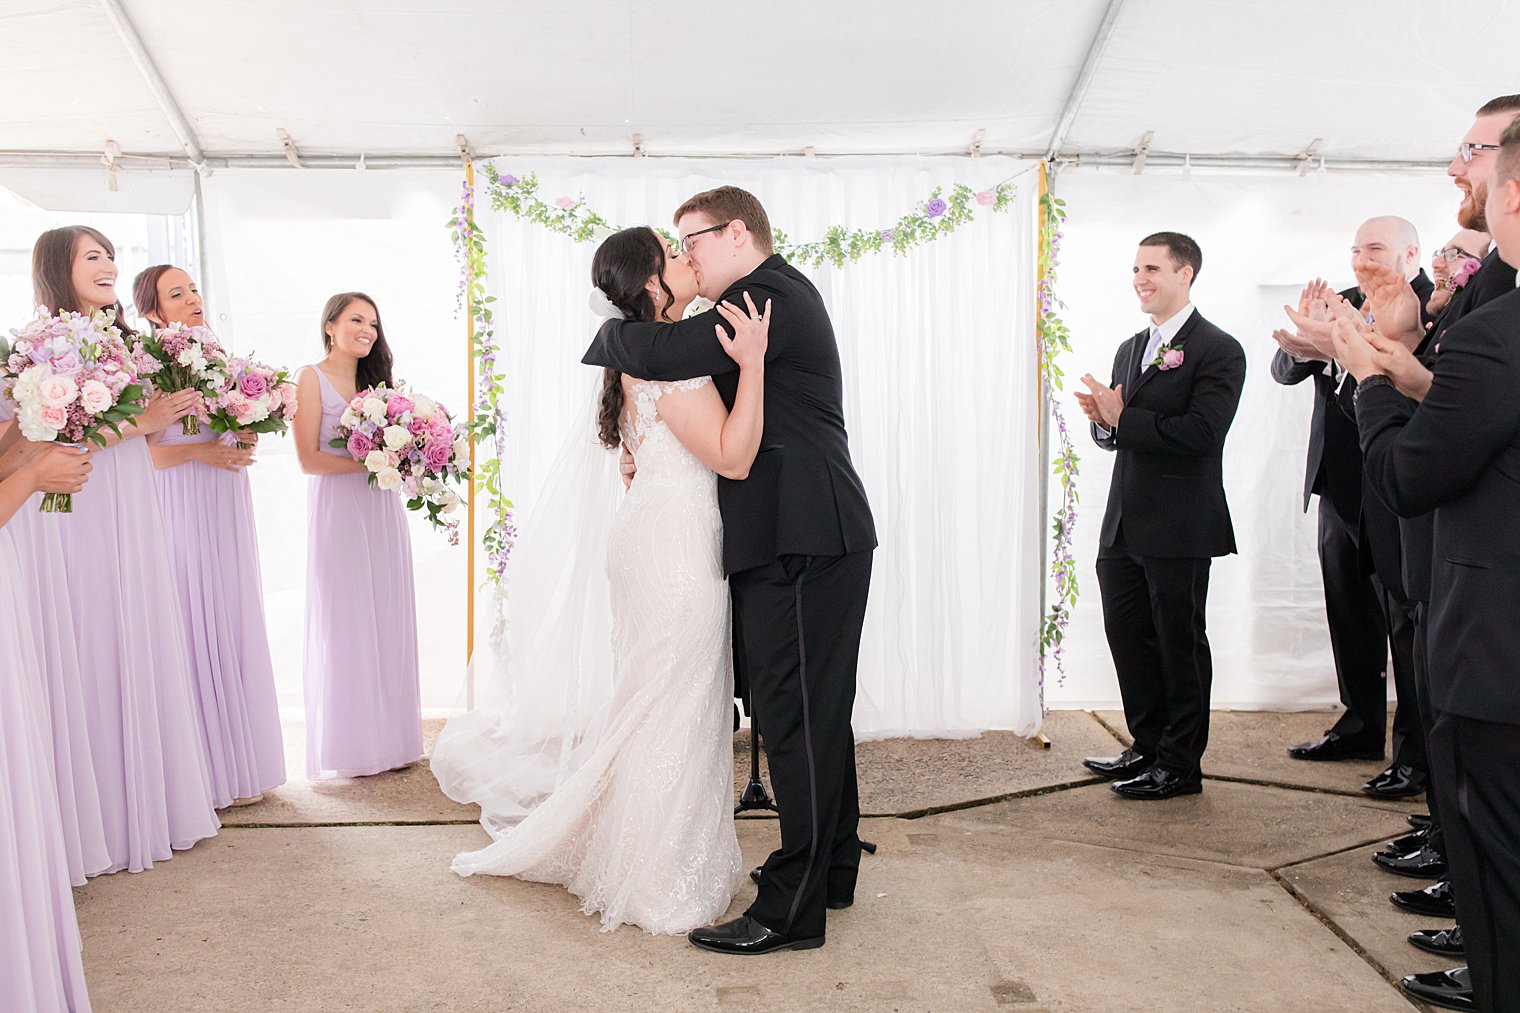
x: 410, y: 445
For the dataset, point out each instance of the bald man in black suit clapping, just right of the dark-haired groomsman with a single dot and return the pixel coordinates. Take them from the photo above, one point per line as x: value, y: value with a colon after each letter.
x: 1360, y: 547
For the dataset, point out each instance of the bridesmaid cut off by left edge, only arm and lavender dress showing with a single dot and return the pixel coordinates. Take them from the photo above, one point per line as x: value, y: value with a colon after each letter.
x: 40, y: 965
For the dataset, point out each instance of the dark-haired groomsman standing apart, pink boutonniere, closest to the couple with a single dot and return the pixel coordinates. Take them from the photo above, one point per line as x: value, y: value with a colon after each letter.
x: 1165, y: 414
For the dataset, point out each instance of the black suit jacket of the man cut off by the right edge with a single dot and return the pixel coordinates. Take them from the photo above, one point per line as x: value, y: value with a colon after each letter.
x: 1458, y: 454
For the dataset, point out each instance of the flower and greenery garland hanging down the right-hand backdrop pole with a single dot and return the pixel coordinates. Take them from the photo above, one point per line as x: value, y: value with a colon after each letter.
x: 1053, y: 338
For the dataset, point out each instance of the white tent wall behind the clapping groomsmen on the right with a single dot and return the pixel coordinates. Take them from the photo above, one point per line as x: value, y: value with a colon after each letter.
x: 1262, y: 240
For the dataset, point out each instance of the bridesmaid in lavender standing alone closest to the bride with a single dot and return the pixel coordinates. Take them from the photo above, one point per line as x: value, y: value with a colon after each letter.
x: 363, y: 697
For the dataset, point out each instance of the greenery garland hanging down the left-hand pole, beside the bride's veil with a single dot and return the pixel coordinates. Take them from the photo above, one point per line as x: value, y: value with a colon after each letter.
x: 490, y: 386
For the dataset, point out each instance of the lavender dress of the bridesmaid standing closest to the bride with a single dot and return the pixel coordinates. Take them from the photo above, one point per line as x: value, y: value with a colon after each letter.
x: 364, y: 711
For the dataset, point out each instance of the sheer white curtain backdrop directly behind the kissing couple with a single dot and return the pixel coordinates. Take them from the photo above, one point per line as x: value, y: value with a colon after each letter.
x: 940, y: 395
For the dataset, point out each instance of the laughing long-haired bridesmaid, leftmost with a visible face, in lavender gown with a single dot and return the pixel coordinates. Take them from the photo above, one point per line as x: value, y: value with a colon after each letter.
x: 148, y: 749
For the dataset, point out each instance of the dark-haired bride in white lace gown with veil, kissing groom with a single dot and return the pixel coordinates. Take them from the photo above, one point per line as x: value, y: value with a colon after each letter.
x: 622, y: 790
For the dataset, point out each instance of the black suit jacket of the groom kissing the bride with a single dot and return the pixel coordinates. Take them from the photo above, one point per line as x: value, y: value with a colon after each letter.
x: 803, y: 495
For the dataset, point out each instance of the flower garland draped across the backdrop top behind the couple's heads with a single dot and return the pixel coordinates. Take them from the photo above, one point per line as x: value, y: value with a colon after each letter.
x: 936, y: 218
